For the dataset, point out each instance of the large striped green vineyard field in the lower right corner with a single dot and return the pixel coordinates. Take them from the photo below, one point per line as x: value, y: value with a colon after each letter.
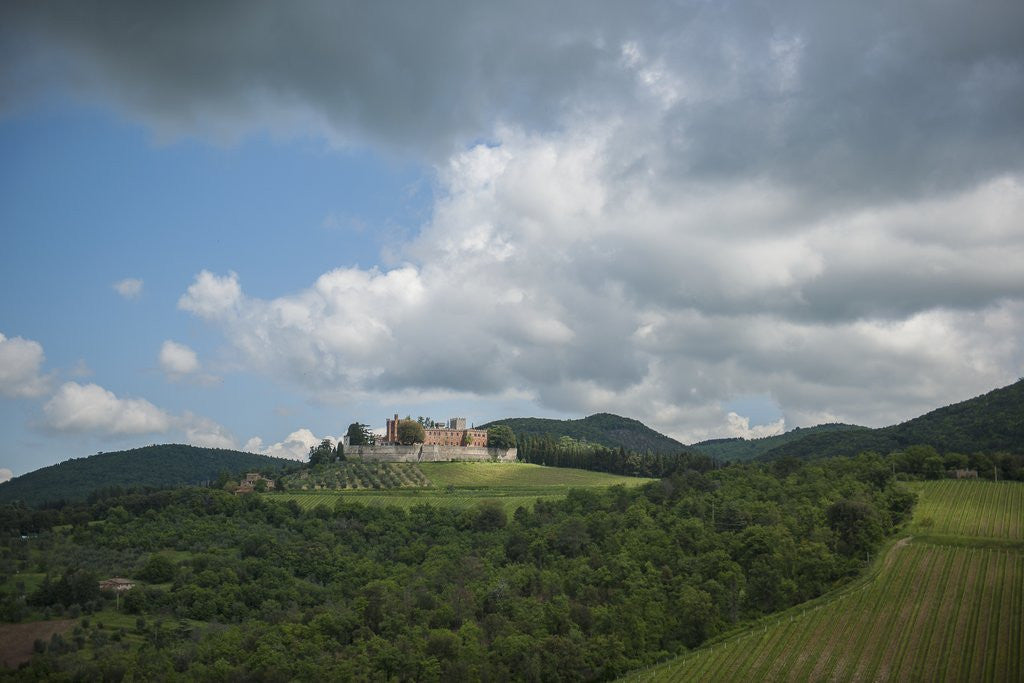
x: 937, y: 607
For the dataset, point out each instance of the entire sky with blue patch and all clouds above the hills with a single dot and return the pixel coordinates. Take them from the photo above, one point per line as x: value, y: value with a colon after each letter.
x: 248, y: 225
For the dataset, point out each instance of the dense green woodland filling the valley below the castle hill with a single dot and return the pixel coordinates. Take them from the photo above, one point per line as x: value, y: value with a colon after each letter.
x: 582, y: 589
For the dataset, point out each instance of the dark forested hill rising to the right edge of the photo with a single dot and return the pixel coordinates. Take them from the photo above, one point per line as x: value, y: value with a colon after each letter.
x: 989, y: 423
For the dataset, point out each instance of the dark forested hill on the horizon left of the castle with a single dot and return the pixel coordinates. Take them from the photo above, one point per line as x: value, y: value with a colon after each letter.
x: 168, y: 465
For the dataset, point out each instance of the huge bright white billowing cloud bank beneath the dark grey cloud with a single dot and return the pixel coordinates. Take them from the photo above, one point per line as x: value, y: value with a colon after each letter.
x: 624, y: 290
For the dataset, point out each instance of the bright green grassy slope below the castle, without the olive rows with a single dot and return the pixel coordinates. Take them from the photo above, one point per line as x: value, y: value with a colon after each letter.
x: 463, y: 485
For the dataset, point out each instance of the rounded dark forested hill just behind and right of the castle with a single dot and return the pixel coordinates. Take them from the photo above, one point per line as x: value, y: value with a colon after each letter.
x: 604, y: 429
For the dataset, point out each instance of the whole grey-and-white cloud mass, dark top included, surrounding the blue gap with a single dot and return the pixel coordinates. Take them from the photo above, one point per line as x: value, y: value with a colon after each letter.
x: 649, y: 209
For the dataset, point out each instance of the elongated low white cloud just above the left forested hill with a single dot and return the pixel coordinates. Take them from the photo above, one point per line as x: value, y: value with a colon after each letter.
x: 91, y: 408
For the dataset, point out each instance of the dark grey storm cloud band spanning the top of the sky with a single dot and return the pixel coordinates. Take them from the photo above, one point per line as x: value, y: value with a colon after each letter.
x: 868, y: 99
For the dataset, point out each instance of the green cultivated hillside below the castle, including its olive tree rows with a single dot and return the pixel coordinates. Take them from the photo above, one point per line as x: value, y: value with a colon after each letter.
x: 448, y: 485
